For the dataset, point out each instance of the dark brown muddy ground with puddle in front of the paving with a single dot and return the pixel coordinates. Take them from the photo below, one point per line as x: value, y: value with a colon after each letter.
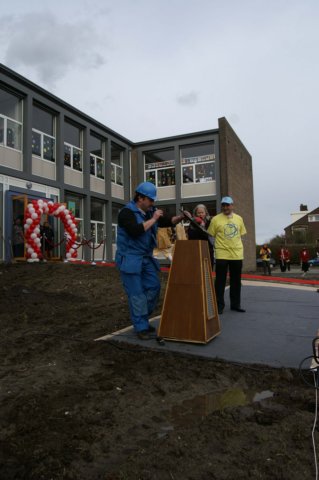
x: 72, y: 408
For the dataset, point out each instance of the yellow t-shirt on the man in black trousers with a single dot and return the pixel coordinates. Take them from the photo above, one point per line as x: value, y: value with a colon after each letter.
x: 228, y: 233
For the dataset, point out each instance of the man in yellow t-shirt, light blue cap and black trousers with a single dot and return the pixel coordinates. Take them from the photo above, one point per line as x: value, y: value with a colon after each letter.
x: 228, y: 228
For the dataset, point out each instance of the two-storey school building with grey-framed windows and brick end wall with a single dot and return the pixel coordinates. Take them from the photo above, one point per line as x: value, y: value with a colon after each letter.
x: 50, y: 150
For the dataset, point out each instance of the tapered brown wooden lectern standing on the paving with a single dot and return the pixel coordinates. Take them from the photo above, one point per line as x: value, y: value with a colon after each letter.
x: 189, y: 311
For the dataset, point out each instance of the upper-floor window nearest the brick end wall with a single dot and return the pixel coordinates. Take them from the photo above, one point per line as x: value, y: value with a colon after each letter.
x: 198, y: 163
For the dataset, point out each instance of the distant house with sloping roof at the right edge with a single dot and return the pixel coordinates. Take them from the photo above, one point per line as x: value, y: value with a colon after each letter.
x: 304, y: 229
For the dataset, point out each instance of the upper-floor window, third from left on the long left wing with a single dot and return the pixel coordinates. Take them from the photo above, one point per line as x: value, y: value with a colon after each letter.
x: 73, y: 146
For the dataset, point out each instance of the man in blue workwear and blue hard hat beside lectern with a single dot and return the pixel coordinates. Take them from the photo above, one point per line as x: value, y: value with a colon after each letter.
x: 138, y: 222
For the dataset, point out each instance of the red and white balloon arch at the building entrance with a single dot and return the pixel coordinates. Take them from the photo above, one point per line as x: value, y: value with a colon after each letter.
x: 32, y: 218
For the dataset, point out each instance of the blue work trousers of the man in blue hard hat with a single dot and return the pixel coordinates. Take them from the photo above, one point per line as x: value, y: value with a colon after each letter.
x: 143, y: 291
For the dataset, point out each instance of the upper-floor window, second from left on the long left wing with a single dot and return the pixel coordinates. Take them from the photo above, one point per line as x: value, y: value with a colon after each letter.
x: 43, y: 134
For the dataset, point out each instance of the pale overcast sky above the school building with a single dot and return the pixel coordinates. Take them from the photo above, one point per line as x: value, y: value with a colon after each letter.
x: 154, y: 68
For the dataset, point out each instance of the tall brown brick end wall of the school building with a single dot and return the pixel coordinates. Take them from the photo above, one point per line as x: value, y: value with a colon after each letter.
x: 236, y: 180
